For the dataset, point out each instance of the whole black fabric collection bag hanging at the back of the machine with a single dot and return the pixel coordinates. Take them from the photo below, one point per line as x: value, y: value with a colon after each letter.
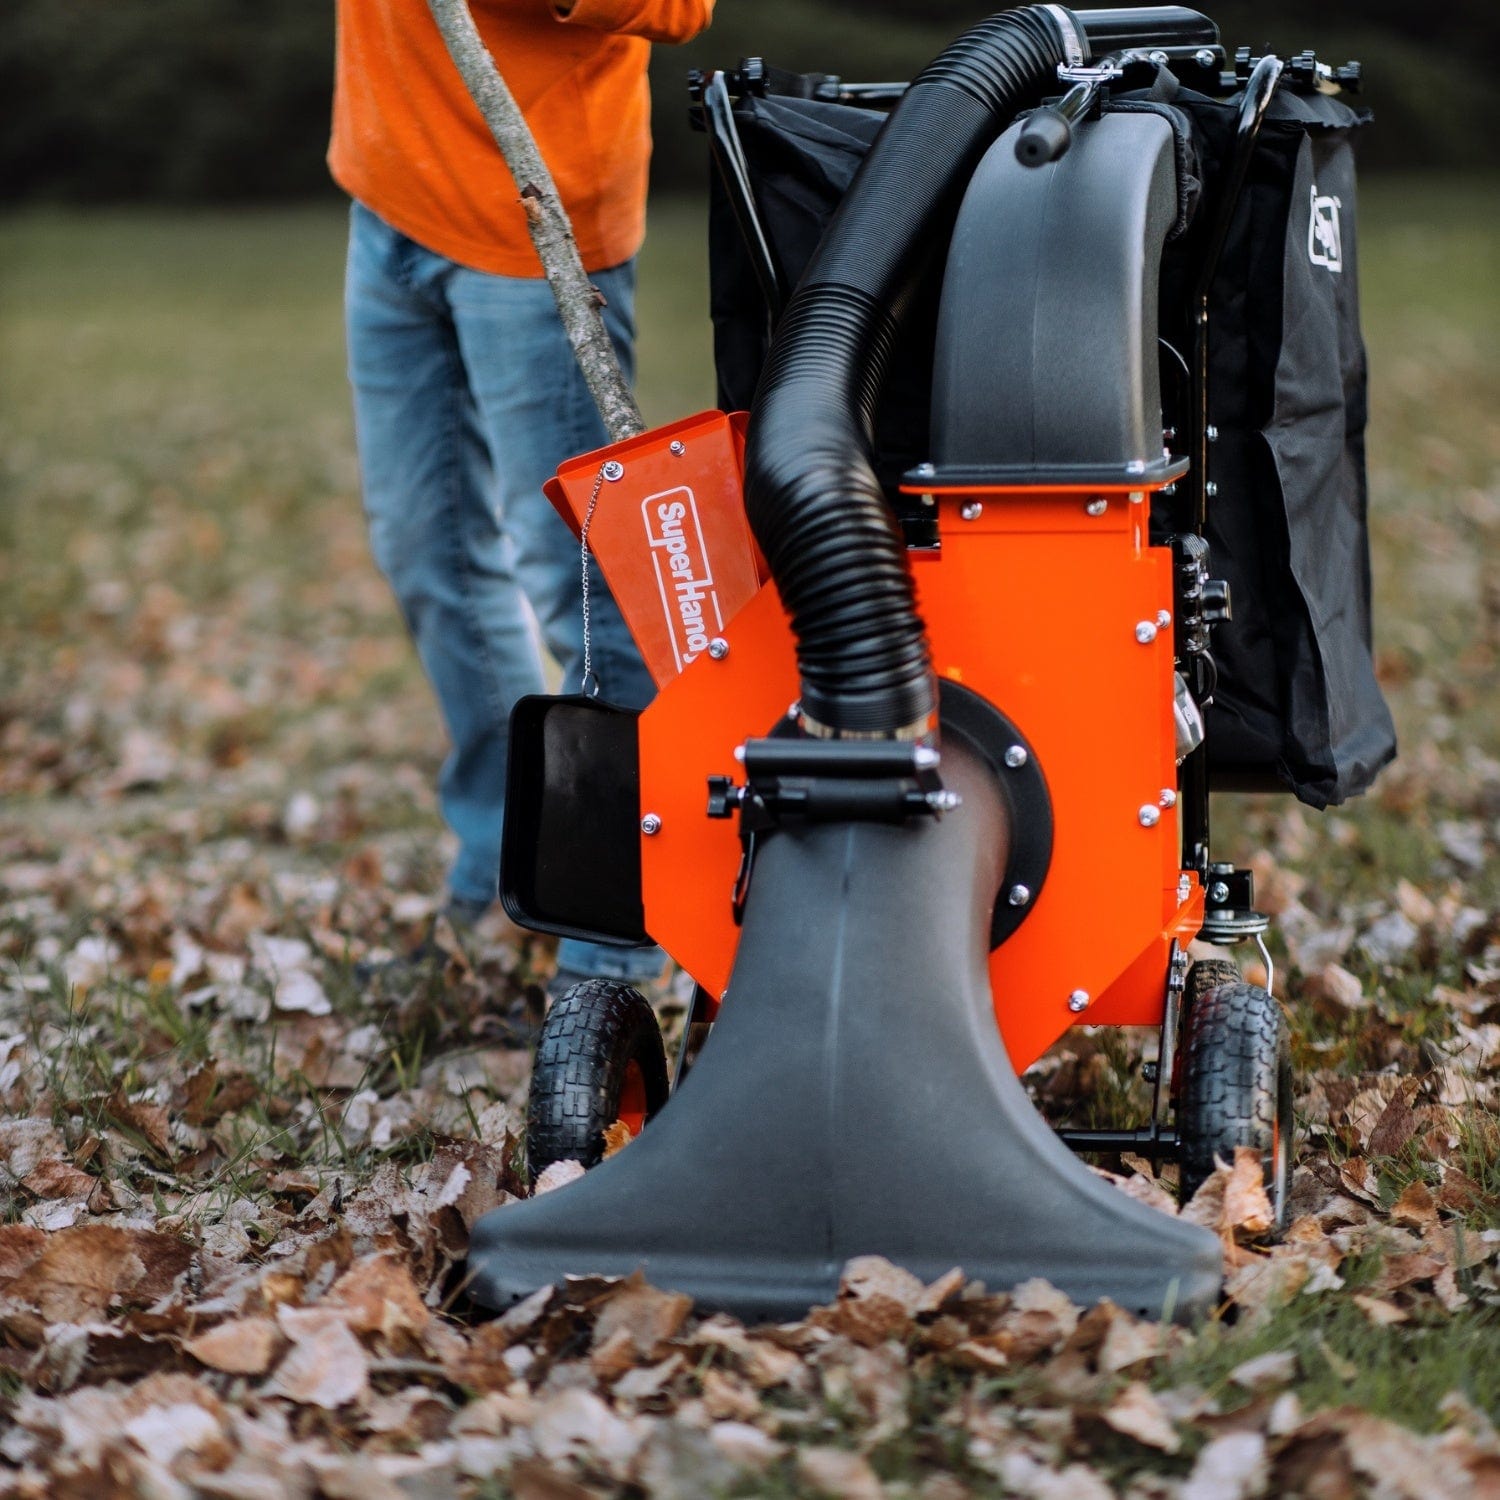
x: 1298, y: 706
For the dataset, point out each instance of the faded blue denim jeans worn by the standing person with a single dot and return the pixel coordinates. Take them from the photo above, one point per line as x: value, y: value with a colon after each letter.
x: 467, y: 398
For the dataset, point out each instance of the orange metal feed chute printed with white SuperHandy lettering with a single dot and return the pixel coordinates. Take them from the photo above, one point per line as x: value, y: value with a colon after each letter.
x: 670, y: 533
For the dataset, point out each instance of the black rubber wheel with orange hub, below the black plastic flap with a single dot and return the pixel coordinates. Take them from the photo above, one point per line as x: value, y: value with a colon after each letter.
x: 599, y: 1060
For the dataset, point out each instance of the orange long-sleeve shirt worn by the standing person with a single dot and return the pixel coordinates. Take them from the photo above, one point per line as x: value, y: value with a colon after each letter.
x: 410, y: 143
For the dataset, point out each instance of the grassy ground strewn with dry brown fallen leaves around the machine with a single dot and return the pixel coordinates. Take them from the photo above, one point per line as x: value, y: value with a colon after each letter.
x: 236, y: 1181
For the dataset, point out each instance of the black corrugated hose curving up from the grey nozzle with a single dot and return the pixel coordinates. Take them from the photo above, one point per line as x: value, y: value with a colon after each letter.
x: 811, y: 491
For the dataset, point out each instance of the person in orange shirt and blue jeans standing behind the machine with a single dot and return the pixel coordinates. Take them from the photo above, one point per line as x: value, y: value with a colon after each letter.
x: 467, y: 395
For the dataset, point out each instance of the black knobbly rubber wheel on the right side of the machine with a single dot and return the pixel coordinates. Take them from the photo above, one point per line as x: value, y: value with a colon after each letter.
x: 1237, y: 1088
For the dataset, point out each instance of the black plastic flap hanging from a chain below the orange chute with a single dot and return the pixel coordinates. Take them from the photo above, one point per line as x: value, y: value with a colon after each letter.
x: 571, y: 854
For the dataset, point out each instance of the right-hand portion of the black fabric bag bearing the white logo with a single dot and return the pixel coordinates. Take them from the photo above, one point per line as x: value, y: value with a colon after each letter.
x: 1298, y: 703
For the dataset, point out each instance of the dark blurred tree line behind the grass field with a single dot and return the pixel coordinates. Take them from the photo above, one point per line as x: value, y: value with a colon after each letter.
x: 229, y: 100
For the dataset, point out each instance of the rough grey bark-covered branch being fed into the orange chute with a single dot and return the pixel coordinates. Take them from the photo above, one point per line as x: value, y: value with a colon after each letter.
x: 551, y: 232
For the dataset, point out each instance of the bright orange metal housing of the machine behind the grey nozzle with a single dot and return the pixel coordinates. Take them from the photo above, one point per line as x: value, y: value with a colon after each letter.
x: 1036, y: 604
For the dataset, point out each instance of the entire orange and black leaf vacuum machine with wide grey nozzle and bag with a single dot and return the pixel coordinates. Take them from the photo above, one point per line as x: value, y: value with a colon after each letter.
x: 1034, y: 514
